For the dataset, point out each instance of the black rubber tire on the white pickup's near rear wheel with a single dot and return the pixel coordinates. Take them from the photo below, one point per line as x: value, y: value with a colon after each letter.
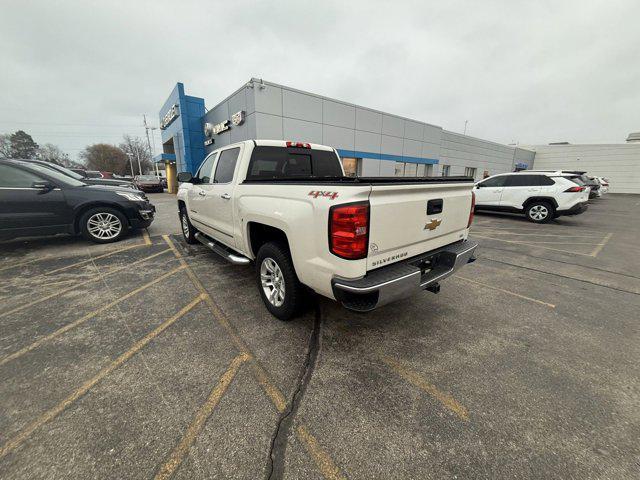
x: 294, y: 293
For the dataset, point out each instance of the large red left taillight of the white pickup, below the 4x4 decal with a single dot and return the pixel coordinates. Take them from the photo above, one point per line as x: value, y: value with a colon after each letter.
x: 349, y: 230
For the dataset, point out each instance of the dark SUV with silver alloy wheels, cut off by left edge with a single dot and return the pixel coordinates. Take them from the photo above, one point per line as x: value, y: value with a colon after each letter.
x: 36, y: 200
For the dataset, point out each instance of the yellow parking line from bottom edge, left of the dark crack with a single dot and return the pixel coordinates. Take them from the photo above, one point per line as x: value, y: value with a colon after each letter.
x: 181, y: 450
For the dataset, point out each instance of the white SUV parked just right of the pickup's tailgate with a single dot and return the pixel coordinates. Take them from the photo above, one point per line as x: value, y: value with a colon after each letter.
x: 540, y: 196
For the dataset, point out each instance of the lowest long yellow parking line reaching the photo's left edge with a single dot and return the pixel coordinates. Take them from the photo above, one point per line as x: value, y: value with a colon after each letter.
x: 52, y: 413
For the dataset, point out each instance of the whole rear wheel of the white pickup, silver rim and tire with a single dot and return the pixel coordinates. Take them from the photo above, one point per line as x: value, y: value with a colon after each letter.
x: 278, y: 284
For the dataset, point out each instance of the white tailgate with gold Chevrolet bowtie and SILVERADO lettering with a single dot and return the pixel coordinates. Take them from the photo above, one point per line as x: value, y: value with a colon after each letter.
x: 400, y: 226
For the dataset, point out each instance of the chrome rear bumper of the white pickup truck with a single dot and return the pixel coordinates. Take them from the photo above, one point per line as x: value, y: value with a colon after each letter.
x: 403, y: 279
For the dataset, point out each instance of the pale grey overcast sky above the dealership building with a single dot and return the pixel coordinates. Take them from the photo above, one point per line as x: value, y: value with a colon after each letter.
x: 76, y: 73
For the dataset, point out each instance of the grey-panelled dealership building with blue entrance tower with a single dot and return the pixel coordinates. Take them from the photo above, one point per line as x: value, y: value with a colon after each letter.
x: 370, y: 142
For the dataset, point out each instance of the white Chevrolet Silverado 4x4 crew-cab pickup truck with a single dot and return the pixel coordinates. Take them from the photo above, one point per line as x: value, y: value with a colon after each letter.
x: 289, y: 208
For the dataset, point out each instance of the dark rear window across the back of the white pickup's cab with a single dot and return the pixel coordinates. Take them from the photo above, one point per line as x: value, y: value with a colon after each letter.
x: 282, y: 162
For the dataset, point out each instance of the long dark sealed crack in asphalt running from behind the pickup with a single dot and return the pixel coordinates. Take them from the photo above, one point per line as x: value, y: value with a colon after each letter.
x: 278, y: 447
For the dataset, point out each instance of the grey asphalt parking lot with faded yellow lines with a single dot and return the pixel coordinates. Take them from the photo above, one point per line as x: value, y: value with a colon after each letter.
x: 153, y: 359
